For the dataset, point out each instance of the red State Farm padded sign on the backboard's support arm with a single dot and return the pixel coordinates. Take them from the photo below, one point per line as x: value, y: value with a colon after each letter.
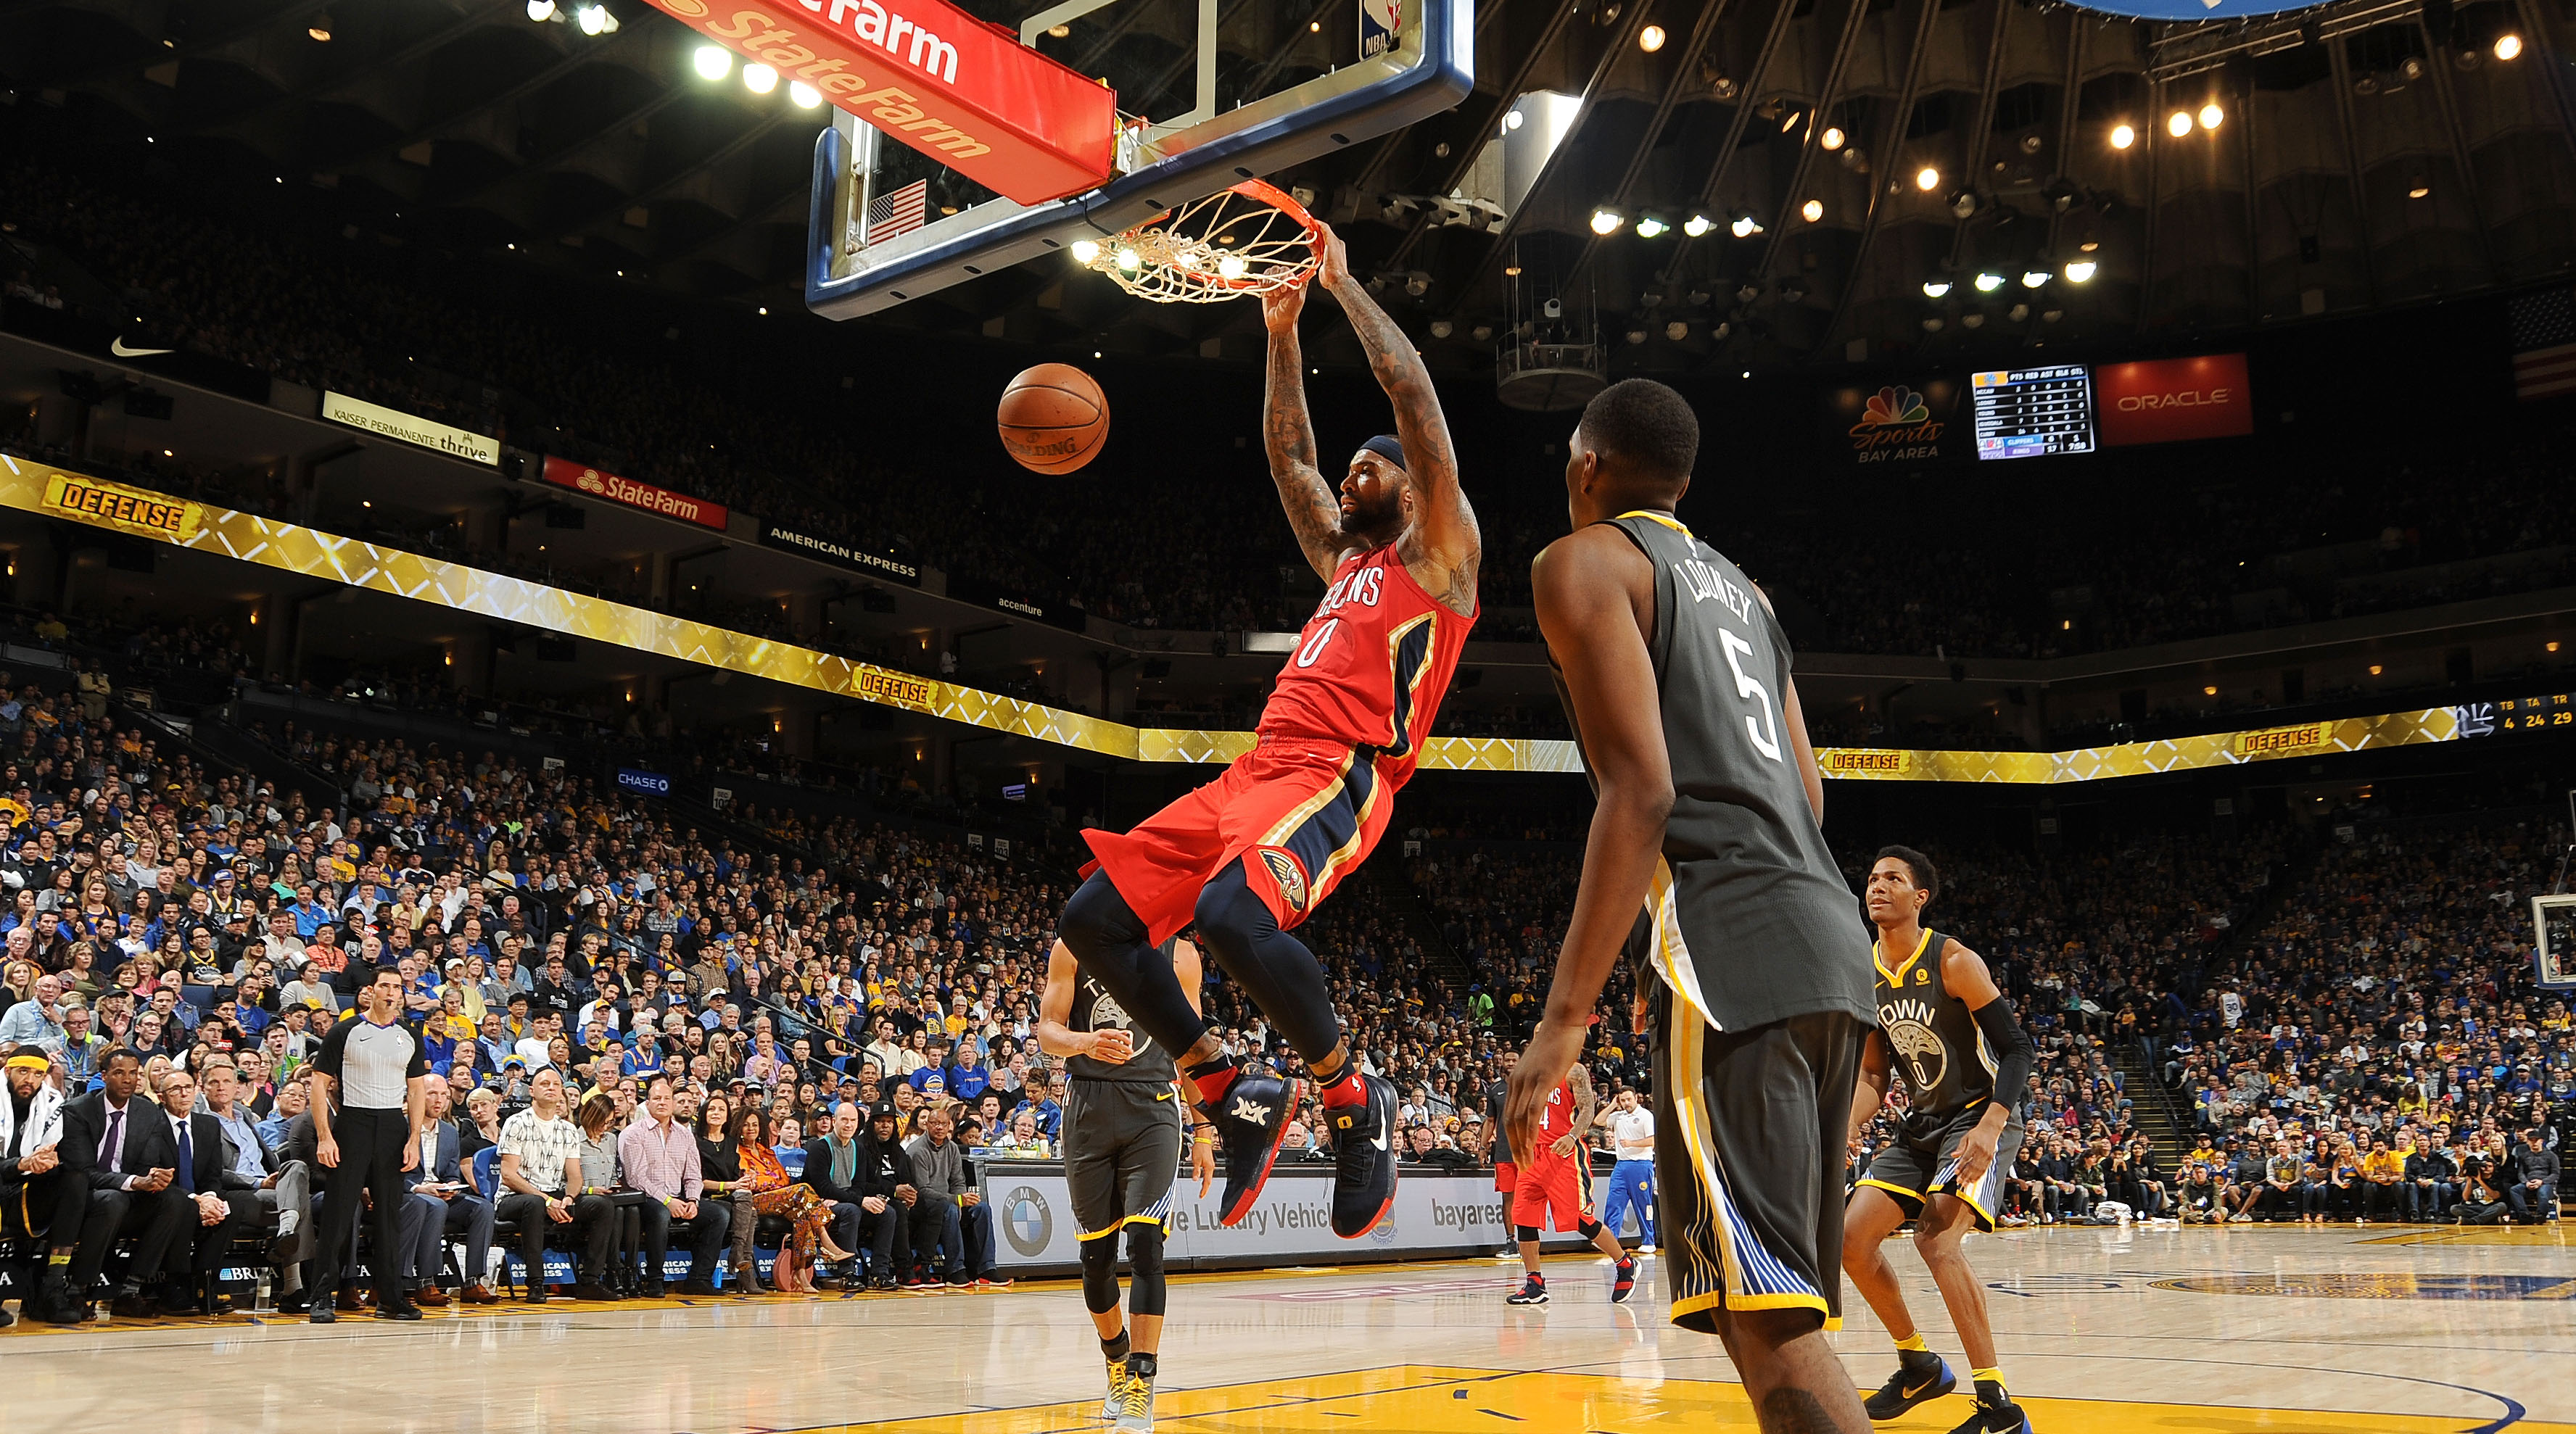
x: 942, y: 81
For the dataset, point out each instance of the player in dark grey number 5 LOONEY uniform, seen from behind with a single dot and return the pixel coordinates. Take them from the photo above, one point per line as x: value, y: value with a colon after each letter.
x: 1709, y: 815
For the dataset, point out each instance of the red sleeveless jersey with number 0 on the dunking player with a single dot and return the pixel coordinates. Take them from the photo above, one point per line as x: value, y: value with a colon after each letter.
x: 1372, y: 666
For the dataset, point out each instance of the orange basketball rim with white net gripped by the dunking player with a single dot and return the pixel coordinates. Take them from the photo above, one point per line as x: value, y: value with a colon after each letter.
x: 1240, y: 241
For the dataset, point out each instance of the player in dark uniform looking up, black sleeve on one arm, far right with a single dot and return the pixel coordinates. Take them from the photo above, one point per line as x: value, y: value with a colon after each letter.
x: 1949, y: 1031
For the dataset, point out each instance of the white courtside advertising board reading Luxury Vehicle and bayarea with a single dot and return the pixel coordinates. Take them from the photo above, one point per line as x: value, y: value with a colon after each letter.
x: 1439, y: 1216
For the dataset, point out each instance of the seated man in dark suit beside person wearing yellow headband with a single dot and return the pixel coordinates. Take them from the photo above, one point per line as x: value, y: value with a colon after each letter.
x: 122, y: 1160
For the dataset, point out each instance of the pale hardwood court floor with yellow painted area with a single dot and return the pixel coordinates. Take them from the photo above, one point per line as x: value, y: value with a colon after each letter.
x: 2103, y: 1332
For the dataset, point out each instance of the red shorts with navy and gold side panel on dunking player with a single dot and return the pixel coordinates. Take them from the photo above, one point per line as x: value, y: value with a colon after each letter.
x: 1297, y: 812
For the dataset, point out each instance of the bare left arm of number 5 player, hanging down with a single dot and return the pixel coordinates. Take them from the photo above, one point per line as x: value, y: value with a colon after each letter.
x: 1593, y: 588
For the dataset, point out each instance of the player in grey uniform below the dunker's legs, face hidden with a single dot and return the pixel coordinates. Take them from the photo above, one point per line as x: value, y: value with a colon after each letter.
x: 1124, y: 1116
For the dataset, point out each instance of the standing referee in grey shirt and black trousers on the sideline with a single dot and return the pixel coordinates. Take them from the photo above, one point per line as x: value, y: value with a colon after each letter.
x: 377, y: 1070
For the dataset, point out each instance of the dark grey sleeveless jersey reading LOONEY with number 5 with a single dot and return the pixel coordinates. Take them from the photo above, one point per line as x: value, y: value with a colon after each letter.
x: 1748, y: 918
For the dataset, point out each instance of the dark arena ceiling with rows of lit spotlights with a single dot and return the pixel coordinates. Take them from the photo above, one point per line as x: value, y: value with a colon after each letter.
x: 1841, y: 158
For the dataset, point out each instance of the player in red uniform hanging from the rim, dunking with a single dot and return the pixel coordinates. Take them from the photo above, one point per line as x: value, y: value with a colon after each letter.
x: 1264, y: 846
